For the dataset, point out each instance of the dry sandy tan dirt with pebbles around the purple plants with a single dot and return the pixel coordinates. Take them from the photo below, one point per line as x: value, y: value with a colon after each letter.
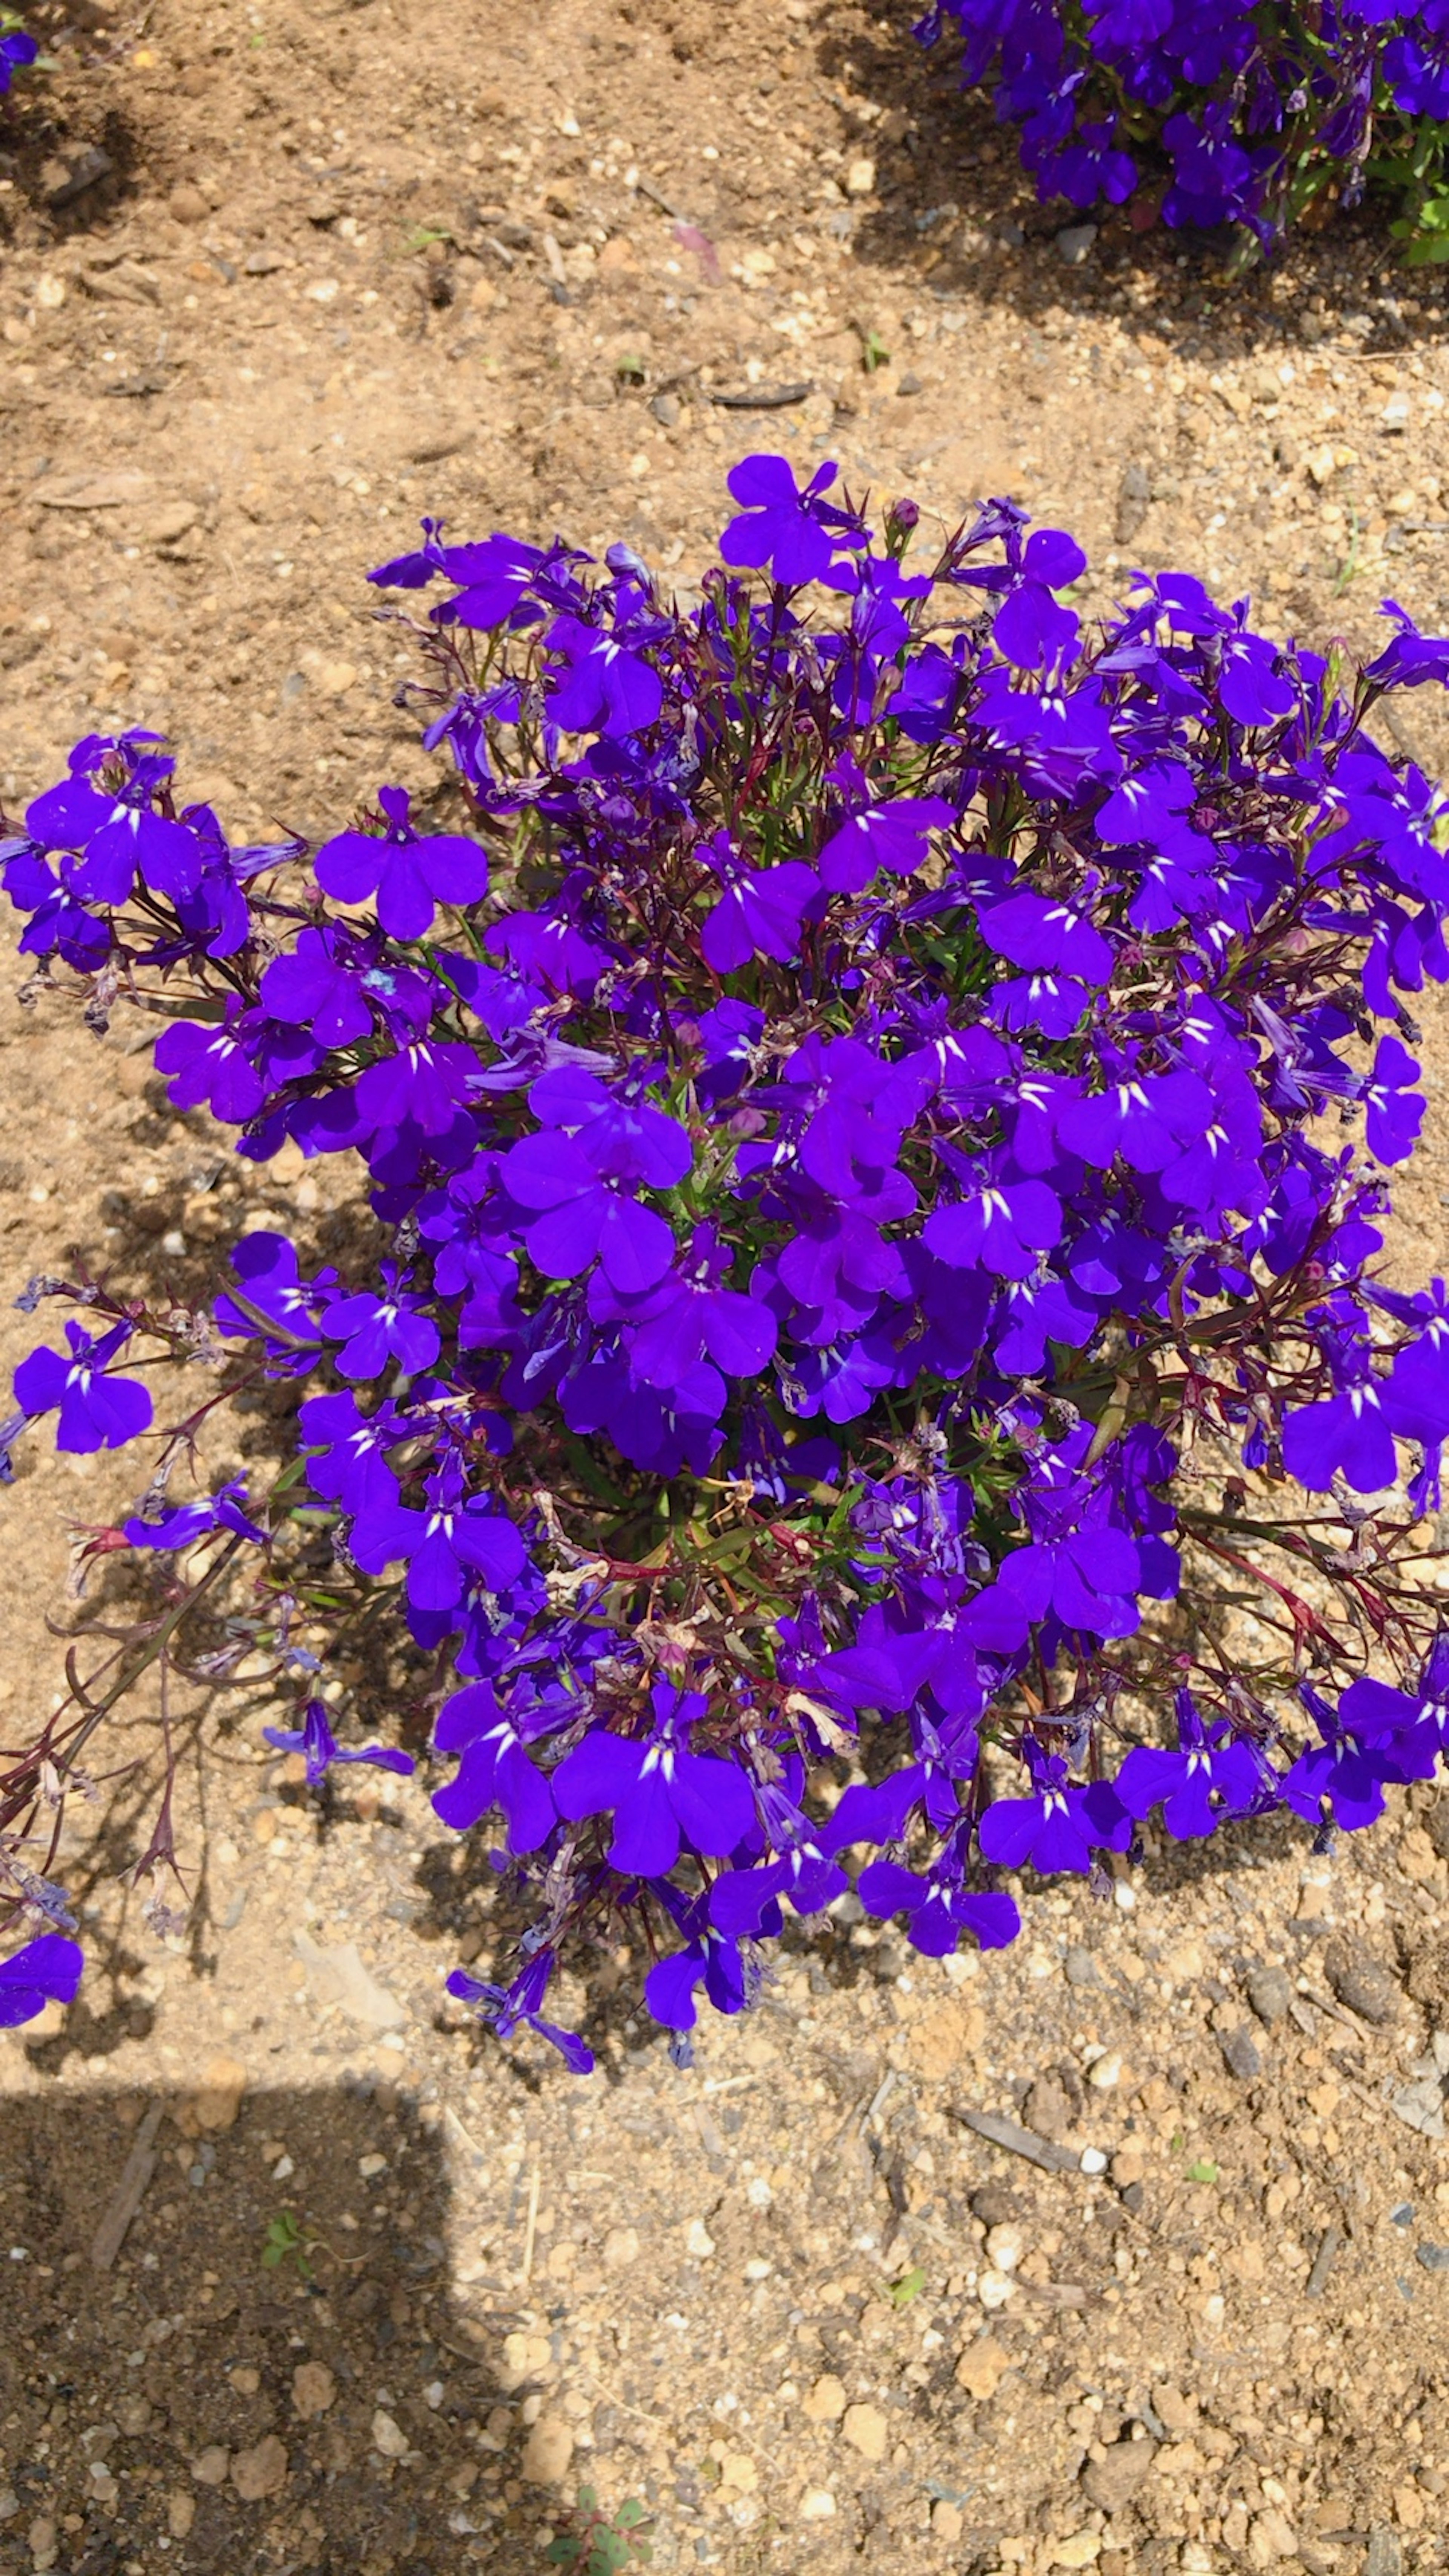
x: 277, y: 279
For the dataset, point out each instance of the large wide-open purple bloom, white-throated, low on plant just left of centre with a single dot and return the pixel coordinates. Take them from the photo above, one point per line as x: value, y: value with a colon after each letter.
x: 656, y: 1789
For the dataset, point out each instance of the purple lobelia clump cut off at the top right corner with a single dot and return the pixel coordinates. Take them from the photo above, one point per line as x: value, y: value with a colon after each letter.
x: 1252, y: 112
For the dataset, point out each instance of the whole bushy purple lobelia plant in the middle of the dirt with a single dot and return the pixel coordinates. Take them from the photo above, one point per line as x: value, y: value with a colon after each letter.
x: 873, y: 1284
